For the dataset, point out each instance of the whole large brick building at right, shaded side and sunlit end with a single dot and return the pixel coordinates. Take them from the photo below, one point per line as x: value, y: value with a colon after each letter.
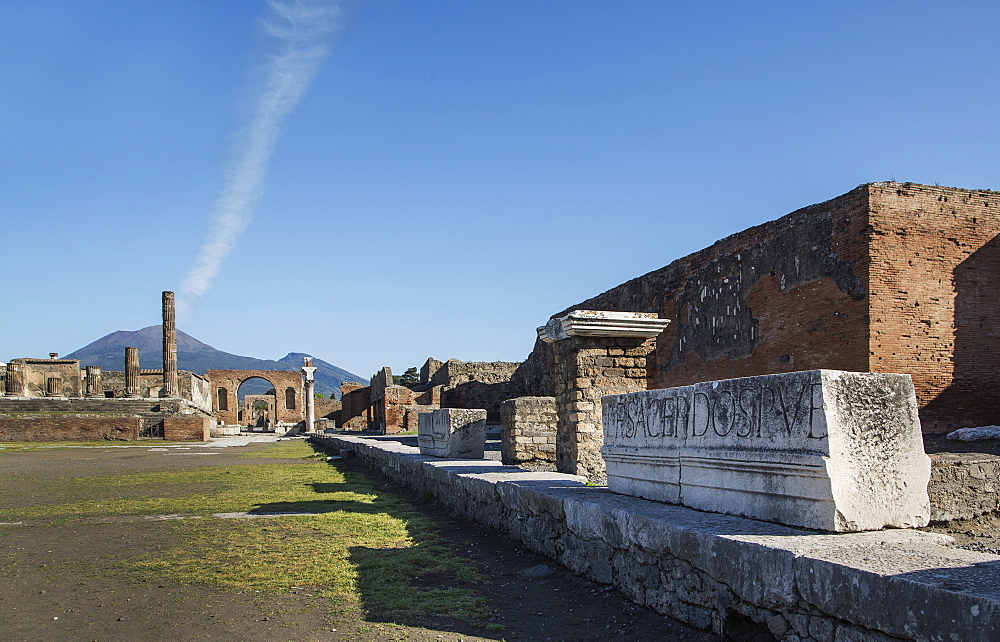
x: 890, y: 277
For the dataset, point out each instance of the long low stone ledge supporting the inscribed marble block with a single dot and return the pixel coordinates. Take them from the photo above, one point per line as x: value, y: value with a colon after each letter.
x: 715, y: 571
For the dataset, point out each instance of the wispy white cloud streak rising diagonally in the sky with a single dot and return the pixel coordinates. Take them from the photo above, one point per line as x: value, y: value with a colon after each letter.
x: 301, y: 29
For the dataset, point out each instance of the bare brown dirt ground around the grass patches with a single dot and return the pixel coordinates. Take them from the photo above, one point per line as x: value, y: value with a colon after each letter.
x: 62, y: 578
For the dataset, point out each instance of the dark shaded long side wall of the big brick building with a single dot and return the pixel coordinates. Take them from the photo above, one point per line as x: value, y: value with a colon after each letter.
x: 787, y: 295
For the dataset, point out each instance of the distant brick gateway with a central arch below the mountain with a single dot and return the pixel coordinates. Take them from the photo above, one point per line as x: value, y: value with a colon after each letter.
x: 289, y: 407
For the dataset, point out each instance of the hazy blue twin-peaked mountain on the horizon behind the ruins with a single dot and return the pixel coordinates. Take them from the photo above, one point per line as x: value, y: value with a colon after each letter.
x: 108, y: 352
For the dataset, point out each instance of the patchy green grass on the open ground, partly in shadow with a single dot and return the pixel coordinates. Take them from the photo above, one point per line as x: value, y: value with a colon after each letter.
x: 362, y: 551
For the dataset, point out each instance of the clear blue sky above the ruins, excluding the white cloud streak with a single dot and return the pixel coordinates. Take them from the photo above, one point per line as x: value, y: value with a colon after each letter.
x: 456, y: 171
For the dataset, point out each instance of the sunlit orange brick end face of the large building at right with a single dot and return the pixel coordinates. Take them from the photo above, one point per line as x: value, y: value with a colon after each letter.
x: 935, y: 298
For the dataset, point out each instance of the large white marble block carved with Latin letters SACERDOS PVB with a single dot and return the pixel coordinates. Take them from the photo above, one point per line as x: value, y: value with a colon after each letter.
x: 824, y: 449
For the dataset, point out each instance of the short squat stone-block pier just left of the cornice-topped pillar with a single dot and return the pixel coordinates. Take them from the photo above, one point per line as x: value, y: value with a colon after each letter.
x: 528, y: 430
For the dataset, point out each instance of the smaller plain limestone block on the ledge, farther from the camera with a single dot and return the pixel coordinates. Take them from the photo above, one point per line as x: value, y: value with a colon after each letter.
x: 452, y: 432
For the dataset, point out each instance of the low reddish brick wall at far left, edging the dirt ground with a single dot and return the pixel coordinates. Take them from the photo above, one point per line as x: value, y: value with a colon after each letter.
x: 67, y: 427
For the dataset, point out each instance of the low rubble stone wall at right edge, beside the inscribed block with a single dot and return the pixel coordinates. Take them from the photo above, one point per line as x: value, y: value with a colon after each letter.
x: 963, y: 485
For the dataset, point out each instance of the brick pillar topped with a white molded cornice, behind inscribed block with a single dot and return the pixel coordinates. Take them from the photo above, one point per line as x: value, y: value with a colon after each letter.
x: 596, y: 353
